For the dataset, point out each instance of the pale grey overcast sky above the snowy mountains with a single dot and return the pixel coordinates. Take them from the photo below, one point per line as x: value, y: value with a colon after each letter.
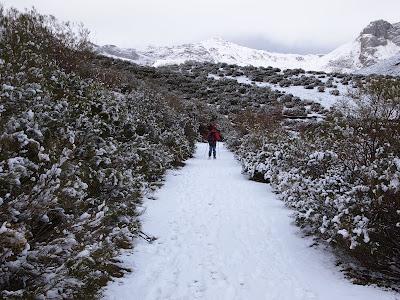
x: 297, y: 26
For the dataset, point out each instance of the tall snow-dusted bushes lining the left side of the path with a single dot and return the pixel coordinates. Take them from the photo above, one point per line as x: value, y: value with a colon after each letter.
x: 76, y: 155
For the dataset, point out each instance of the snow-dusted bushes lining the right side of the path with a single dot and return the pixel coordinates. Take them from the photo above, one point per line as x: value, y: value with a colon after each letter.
x: 340, y: 176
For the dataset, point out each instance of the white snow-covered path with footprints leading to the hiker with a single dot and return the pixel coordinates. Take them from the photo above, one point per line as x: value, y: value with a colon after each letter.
x: 221, y: 236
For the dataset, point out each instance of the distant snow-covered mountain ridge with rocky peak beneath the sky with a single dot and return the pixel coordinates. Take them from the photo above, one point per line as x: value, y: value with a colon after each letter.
x: 378, y: 41
